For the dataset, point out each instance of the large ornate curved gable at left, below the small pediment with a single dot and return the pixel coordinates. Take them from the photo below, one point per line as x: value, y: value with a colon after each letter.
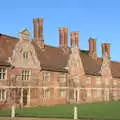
x: 24, y: 55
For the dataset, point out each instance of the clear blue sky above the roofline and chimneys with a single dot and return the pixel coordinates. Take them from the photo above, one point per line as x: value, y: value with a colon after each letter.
x: 99, y: 19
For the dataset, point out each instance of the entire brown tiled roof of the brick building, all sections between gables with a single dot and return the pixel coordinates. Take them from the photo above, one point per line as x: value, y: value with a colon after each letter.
x: 54, y: 58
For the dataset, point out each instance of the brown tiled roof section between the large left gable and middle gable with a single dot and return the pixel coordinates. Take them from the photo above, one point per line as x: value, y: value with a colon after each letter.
x: 50, y: 57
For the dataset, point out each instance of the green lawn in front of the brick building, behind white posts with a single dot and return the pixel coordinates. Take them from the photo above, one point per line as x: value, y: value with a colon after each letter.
x: 108, y: 110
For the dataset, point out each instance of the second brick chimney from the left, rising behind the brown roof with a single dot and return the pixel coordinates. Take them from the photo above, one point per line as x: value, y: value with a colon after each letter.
x: 63, y: 37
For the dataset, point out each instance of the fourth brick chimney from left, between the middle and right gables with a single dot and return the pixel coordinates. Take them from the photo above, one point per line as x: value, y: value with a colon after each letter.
x: 92, y: 47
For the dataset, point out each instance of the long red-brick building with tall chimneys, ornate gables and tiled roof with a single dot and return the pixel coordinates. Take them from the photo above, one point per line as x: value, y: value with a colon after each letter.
x: 33, y: 73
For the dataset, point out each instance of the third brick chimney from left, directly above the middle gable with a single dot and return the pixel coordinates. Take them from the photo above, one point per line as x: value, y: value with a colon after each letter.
x: 75, y: 39
